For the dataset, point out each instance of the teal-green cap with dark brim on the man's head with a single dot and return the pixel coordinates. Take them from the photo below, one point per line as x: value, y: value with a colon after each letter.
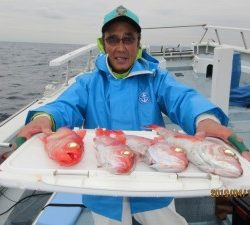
x: 121, y: 13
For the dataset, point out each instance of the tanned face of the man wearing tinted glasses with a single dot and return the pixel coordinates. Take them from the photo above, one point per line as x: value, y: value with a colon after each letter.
x: 121, y: 42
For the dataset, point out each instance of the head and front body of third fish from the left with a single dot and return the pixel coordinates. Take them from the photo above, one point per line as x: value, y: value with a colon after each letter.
x: 165, y: 157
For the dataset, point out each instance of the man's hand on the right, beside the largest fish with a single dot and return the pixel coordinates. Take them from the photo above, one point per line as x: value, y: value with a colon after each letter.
x: 213, y: 129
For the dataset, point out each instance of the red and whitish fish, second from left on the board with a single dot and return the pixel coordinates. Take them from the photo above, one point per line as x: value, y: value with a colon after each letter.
x: 112, y: 152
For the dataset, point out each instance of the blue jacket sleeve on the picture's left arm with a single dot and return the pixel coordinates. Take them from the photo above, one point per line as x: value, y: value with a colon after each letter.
x: 69, y: 108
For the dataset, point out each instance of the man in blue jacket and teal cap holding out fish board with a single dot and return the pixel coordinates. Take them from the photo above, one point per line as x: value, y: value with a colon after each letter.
x: 127, y: 91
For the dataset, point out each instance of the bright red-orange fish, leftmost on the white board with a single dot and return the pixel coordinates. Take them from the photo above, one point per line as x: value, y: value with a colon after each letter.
x: 65, y: 146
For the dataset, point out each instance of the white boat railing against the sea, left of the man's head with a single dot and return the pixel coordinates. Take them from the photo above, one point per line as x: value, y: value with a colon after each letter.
x: 67, y: 59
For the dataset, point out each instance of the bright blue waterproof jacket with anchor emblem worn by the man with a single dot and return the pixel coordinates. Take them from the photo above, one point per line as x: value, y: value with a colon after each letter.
x: 98, y: 99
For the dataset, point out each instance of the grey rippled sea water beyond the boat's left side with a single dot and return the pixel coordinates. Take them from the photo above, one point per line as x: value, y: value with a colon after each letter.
x: 25, y: 71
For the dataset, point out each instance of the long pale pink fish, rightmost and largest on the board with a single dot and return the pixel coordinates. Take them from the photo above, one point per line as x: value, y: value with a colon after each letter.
x: 206, y: 155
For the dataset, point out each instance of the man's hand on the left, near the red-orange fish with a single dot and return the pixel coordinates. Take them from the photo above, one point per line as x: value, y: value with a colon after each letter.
x: 41, y: 124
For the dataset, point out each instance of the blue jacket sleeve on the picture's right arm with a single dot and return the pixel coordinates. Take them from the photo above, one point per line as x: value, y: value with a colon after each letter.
x: 183, y: 104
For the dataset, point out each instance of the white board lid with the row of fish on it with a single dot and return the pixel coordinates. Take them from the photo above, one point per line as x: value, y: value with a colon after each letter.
x: 30, y: 167
